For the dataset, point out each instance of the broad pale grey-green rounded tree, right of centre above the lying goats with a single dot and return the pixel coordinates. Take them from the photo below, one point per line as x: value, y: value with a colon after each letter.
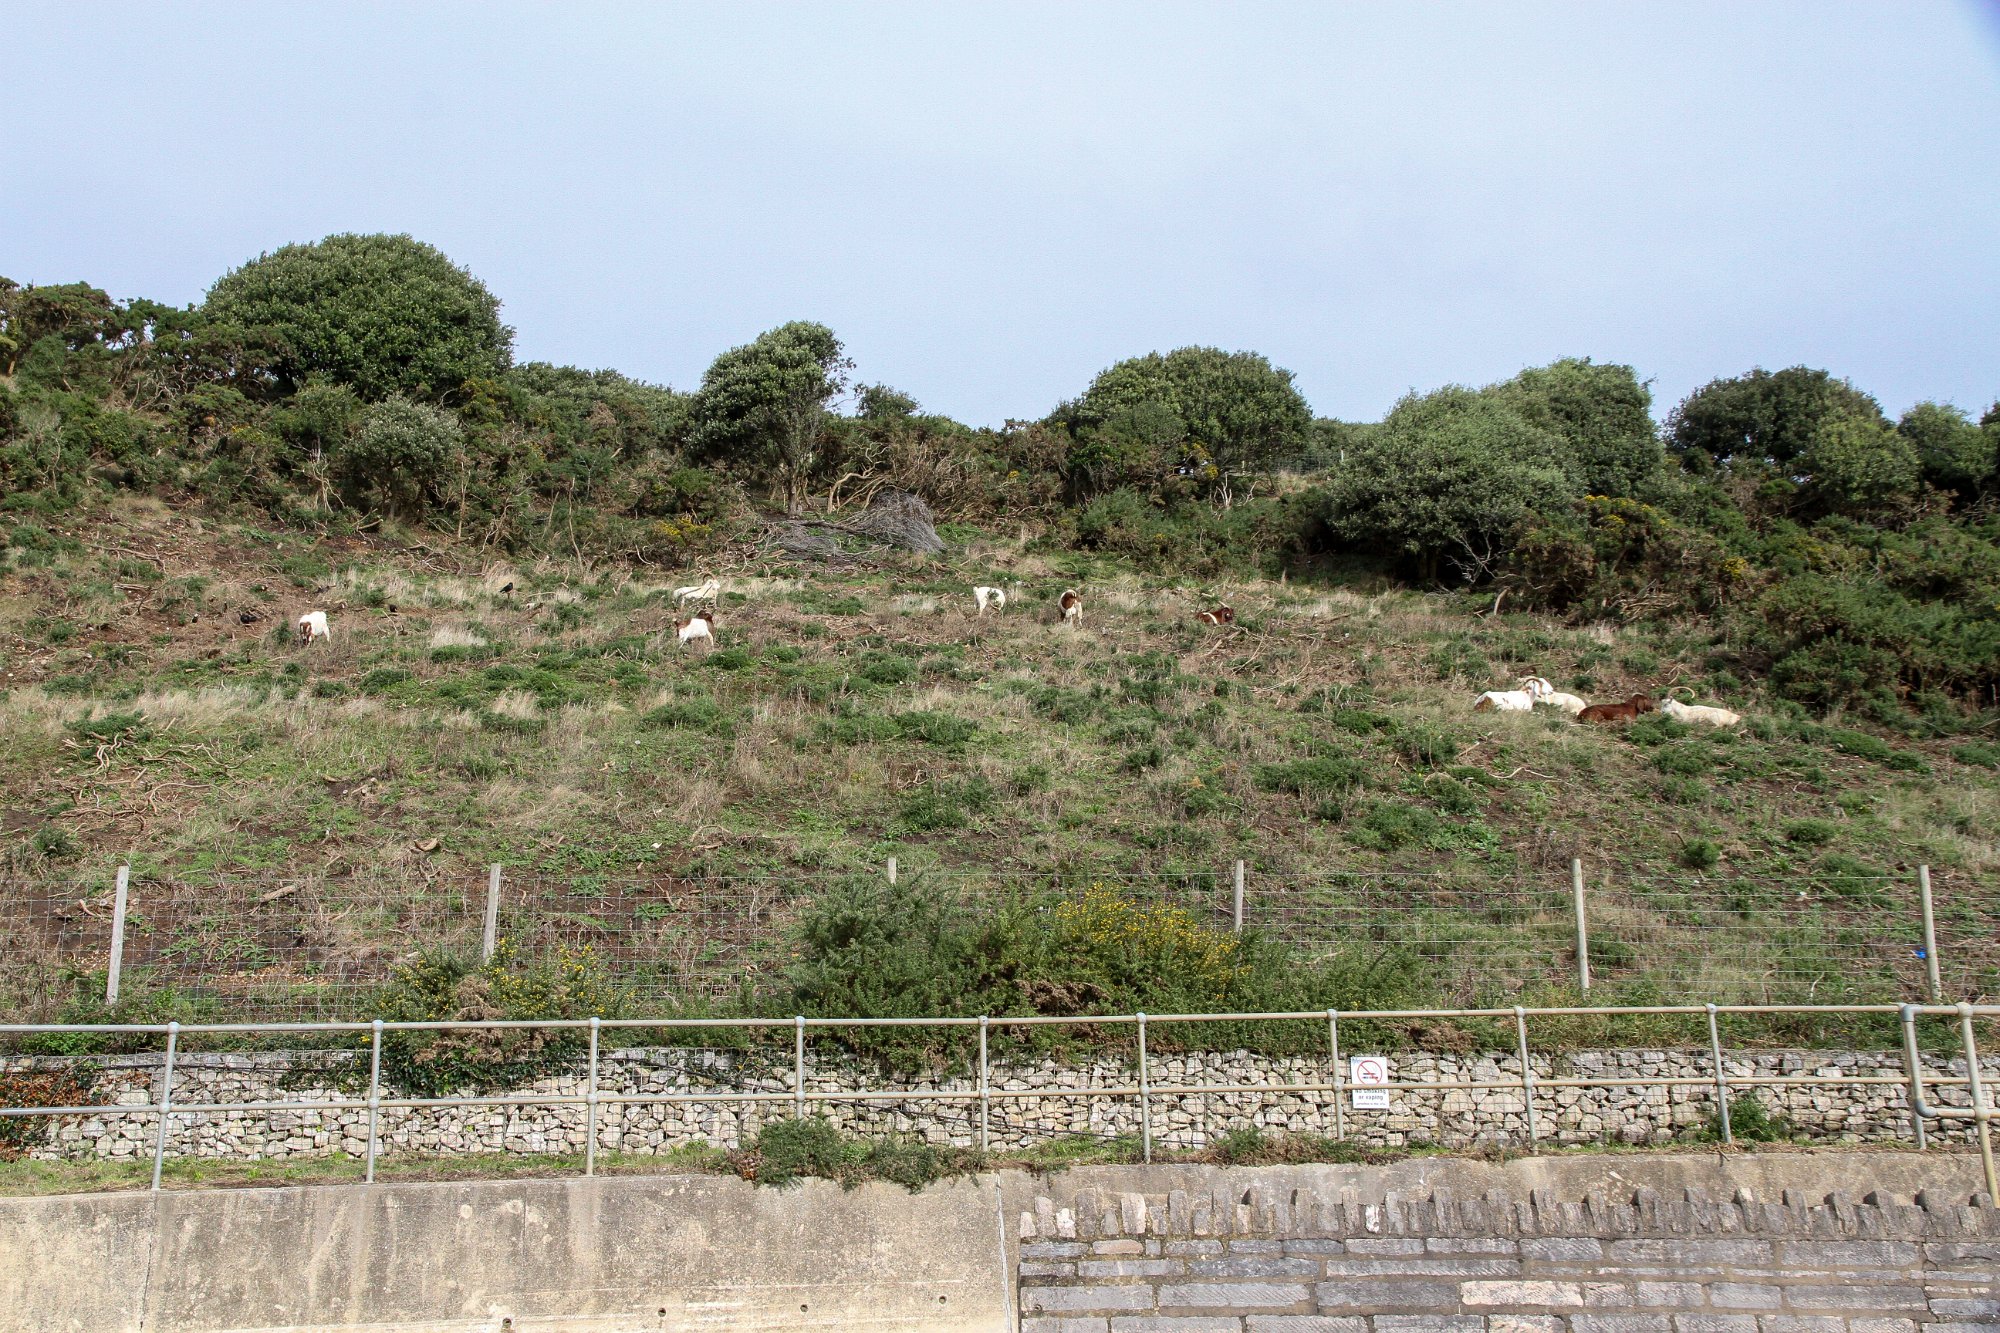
x: 1449, y: 475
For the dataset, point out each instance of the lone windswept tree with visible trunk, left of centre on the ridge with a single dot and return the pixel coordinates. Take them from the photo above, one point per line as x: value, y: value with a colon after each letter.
x: 765, y: 405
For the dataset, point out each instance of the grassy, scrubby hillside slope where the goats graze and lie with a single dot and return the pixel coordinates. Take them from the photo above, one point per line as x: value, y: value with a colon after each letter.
x: 301, y: 820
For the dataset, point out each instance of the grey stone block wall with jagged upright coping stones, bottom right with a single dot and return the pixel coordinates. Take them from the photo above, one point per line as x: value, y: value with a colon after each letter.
x: 1305, y: 1264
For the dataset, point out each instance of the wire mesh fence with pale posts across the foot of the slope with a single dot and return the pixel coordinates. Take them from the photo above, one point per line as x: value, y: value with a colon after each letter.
x: 319, y: 946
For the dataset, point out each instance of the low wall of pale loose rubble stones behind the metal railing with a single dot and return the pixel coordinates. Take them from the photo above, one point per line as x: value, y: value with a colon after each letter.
x: 1029, y: 1102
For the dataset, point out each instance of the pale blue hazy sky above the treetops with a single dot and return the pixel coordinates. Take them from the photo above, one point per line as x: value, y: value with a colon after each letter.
x: 991, y: 203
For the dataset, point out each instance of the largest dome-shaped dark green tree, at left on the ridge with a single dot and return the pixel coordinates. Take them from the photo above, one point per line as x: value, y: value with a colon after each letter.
x: 381, y: 313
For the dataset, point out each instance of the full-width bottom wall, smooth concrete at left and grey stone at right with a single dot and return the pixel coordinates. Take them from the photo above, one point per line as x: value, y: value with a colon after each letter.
x: 629, y: 1254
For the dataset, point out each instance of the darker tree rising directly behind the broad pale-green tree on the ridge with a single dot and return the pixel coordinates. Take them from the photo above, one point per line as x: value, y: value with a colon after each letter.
x: 1603, y: 413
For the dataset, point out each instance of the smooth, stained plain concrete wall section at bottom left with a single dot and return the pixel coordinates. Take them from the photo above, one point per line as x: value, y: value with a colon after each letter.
x: 607, y: 1256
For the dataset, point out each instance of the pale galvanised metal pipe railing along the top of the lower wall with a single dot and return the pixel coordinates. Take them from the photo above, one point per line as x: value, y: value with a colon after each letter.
x: 1915, y: 1080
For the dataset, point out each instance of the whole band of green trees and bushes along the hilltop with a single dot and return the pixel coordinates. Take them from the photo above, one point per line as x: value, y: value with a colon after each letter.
x: 1851, y: 559
